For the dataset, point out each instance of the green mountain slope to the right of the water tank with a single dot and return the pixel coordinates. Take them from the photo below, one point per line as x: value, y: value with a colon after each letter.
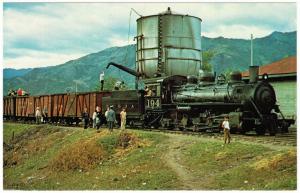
x: 235, y: 53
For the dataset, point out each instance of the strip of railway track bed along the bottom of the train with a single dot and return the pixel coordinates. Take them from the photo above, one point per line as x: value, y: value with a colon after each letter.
x: 284, y: 139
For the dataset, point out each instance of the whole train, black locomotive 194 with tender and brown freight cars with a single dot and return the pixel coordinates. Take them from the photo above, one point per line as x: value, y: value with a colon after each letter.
x: 177, y: 102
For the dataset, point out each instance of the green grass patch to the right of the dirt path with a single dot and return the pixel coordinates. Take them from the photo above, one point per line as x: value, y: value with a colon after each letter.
x: 241, y: 166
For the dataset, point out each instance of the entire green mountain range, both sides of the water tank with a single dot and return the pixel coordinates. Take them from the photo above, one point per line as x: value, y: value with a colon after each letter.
x: 229, y: 54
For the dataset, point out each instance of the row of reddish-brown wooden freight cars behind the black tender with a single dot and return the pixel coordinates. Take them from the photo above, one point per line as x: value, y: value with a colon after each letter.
x: 61, y: 108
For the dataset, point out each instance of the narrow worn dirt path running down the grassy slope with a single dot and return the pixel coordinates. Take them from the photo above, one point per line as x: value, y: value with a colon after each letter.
x: 173, y: 159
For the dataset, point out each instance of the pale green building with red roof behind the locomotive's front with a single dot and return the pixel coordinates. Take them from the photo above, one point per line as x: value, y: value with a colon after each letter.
x: 282, y: 75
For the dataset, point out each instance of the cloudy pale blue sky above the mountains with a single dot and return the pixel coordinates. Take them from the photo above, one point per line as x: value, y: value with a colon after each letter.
x: 47, y: 34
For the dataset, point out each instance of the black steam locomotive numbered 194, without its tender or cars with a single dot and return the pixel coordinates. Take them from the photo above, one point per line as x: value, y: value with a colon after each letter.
x: 188, y: 102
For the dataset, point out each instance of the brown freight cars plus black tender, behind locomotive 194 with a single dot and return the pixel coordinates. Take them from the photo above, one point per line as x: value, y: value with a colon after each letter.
x: 67, y: 108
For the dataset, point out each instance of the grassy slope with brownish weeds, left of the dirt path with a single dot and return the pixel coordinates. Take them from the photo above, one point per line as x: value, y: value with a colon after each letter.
x: 138, y: 166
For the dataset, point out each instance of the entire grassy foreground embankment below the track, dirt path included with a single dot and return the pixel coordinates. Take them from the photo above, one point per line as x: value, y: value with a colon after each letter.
x: 48, y: 157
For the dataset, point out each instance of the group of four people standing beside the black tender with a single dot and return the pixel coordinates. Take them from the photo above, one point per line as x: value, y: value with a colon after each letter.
x: 99, y: 118
